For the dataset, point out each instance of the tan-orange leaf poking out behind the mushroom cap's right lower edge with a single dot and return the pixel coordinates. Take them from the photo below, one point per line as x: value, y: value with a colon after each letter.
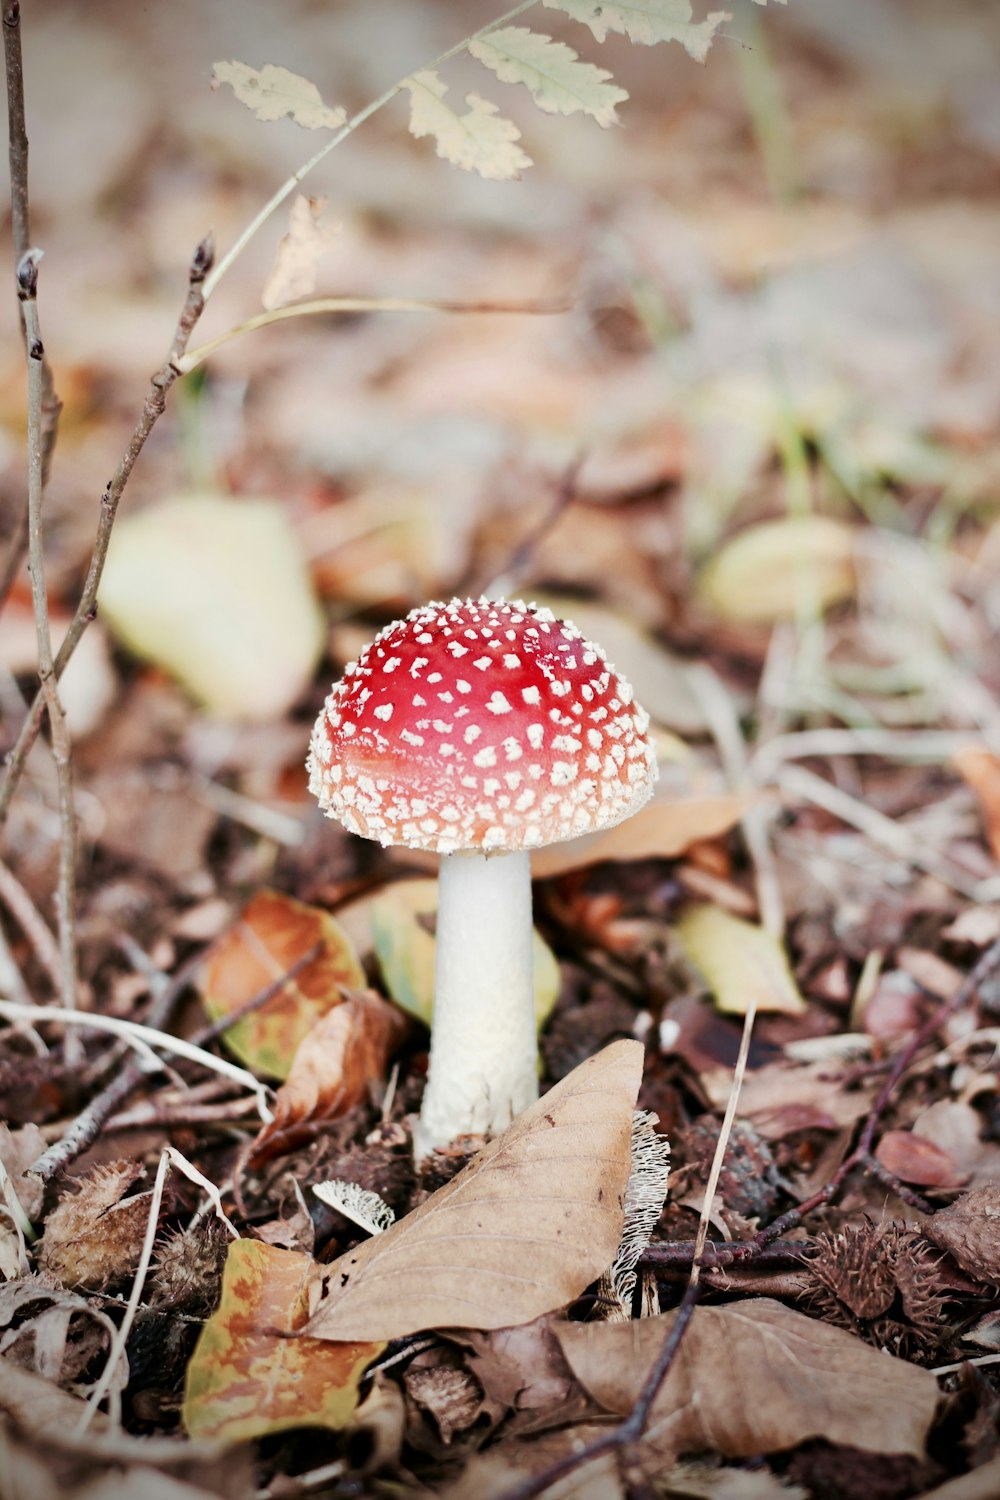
x: 662, y: 830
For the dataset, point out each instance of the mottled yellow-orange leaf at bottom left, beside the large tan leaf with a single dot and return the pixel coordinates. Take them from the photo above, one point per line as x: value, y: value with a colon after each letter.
x: 247, y: 1378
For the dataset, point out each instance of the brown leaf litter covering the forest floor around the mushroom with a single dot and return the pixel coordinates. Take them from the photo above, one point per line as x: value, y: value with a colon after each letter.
x: 789, y: 403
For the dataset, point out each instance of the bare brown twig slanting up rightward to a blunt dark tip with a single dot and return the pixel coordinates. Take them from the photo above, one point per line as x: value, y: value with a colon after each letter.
x: 86, y: 610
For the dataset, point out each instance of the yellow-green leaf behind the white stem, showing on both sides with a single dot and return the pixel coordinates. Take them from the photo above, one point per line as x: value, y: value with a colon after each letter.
x: 403, y: 917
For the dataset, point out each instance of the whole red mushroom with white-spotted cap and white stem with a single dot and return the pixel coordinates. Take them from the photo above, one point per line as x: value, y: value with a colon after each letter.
x: 481, y: 730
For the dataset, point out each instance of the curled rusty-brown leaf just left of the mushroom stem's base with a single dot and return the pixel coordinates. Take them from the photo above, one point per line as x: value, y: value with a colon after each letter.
x: 334, y: 1069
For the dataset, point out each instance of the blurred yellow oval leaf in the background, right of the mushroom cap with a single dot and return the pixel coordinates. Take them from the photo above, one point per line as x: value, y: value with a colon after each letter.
x: 777, y: 569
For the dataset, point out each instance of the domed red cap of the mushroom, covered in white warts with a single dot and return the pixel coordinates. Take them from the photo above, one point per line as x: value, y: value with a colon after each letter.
x: 481, y: 725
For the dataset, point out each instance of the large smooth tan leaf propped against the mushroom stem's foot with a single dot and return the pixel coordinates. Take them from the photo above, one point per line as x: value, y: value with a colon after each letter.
x: 522, y: 1231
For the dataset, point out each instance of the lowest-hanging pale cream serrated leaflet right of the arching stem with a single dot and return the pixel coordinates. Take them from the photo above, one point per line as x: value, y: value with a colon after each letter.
x: 478, y: 142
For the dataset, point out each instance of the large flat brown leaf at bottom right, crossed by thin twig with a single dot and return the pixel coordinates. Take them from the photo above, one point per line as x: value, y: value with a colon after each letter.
x: 755, y: 1378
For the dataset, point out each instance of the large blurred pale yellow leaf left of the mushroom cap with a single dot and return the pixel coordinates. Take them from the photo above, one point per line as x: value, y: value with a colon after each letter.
x: 215, y: 592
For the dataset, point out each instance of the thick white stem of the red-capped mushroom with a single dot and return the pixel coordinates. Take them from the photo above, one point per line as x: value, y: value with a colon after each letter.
x: 484, y: 1045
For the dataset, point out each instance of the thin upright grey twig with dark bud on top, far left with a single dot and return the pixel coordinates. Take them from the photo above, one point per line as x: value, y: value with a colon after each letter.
x: 67, y: 895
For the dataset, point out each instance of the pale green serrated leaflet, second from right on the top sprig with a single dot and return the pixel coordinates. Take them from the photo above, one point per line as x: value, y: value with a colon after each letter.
x: 558, y: 82
